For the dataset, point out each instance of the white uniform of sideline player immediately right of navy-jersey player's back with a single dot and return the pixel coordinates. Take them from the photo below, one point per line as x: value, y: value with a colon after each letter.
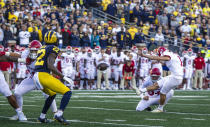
x: 67, y: 65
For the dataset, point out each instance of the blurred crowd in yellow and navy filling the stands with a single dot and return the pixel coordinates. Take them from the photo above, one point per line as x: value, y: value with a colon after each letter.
x: 178, y: 24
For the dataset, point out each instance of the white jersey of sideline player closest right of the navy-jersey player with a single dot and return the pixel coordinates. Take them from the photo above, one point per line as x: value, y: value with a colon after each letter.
x: 67, y: 60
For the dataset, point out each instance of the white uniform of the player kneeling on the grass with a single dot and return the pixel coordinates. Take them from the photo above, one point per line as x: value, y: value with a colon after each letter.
x: 154, y: 96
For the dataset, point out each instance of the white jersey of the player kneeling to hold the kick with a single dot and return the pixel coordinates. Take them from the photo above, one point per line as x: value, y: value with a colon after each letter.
x: 148, y: 82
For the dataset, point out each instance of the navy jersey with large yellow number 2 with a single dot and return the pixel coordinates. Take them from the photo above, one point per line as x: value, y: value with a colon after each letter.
x: 42, y: 55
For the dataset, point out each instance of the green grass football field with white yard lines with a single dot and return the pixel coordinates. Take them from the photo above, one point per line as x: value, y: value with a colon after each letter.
x: 115, y: 109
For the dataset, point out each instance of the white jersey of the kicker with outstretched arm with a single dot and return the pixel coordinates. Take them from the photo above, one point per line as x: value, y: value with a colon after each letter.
x: 174, y: 64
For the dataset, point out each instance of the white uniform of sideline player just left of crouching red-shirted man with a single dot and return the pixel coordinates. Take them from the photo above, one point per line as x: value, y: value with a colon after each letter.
x: 117, y: 68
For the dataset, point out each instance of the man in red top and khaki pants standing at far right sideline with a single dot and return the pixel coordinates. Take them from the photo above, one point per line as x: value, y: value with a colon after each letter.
x: 199, y: 65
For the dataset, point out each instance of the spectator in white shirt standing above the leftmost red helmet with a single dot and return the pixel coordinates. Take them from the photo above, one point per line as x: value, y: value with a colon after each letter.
x: 24, y: 36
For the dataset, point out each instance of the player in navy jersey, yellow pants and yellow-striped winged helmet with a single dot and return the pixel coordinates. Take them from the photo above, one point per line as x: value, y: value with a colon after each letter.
x: 43, y: 79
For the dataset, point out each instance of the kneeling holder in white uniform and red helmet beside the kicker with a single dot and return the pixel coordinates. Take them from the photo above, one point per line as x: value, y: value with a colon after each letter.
x: 152, y: 97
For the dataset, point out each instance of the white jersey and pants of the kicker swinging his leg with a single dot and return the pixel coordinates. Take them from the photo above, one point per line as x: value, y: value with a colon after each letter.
x: 176, y: 68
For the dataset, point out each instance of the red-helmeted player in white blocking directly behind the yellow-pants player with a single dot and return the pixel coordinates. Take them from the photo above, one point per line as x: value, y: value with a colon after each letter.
x: 27, y: 84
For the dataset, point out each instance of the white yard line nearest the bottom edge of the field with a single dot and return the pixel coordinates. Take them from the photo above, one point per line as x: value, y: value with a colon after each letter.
x: 90, y: 122
